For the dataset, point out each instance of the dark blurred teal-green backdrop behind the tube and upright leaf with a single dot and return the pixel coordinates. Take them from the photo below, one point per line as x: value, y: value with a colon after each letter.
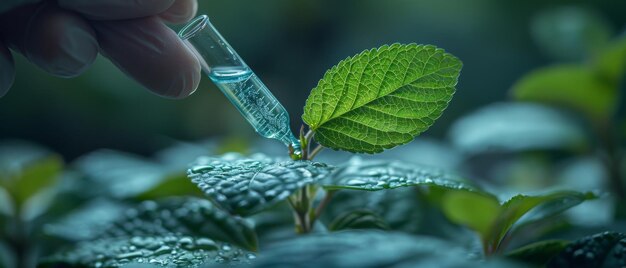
x: 290, y: 44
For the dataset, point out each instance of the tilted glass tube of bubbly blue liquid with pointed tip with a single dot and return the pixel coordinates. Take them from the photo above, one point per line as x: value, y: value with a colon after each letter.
x: 235, y: 79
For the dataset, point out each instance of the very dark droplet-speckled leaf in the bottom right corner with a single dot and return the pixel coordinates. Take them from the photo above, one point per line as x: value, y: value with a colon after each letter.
x: 603, y: 250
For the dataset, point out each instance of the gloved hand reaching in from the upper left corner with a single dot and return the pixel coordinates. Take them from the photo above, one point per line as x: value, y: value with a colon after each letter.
x: 64, y: 37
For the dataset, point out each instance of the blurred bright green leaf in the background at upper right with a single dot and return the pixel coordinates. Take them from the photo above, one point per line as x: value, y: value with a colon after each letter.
x: 572, y: 86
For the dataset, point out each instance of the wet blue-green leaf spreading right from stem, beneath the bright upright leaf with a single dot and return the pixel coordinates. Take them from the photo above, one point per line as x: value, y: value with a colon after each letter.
x: 375, y: 175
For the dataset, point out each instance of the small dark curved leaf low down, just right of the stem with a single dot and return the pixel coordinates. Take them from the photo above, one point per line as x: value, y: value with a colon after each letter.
x: 359, y: 219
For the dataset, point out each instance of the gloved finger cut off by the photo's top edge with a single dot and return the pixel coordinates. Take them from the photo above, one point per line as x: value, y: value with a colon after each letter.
x: 116, y: 9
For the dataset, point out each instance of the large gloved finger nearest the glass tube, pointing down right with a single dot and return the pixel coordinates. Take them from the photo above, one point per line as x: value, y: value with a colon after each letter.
x: 150, y: 52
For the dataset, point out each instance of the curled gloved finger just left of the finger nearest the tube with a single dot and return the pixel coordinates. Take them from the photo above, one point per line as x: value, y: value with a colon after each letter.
x: 57, y: 40
